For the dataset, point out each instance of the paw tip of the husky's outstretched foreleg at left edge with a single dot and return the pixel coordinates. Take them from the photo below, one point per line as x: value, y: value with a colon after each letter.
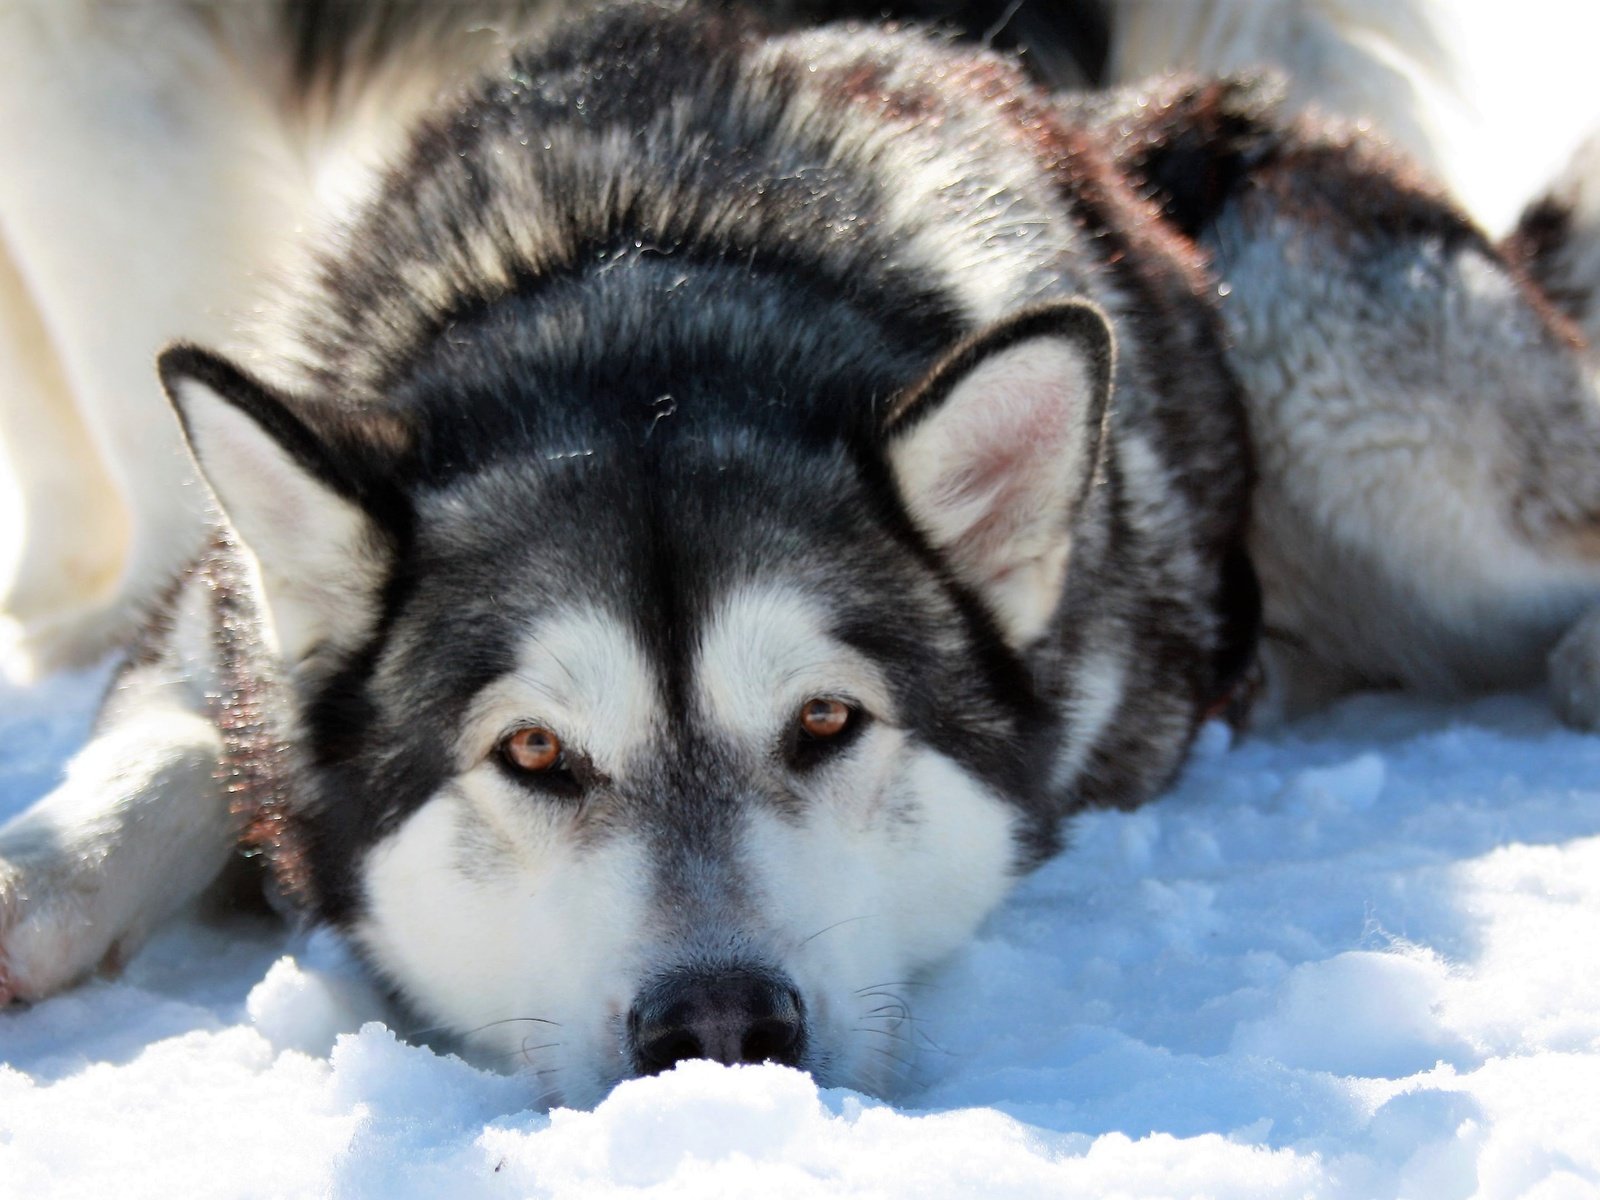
x: 52, y: 934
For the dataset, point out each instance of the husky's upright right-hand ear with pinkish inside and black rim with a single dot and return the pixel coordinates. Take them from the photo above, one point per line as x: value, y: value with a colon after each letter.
x: 996, y: 450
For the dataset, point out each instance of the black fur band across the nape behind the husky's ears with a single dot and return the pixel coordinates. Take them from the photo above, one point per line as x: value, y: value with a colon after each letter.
x: 636, y: 362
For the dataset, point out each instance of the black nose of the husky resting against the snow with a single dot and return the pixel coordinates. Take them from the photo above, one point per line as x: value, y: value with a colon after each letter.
x: 737, y: 1015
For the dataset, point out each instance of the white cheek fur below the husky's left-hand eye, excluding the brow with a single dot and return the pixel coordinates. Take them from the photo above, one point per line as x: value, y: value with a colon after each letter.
x: 498, y: 922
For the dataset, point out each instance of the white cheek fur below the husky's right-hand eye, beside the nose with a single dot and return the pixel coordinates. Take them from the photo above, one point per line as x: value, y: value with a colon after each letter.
x: 887, y: 873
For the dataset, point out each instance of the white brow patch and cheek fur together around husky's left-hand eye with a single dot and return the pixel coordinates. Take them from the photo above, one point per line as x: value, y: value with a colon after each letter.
x: 490, y: 906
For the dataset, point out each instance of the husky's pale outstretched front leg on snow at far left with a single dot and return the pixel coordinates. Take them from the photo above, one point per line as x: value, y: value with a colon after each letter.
x: 140, y: 826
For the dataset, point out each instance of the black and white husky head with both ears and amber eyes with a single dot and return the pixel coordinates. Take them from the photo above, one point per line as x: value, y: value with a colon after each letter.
x: 618, y: 754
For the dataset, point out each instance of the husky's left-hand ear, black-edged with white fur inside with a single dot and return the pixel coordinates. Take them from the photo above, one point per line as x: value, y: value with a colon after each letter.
x: 302, y: 498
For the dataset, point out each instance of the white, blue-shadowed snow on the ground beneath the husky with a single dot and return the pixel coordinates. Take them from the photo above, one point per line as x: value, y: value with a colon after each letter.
x: 1356, y: 958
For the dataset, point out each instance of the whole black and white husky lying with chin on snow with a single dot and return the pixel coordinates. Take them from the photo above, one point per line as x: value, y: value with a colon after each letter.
x: 727, y: 500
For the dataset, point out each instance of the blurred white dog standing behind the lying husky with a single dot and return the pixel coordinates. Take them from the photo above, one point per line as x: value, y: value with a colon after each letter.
x: 154, y: 177
